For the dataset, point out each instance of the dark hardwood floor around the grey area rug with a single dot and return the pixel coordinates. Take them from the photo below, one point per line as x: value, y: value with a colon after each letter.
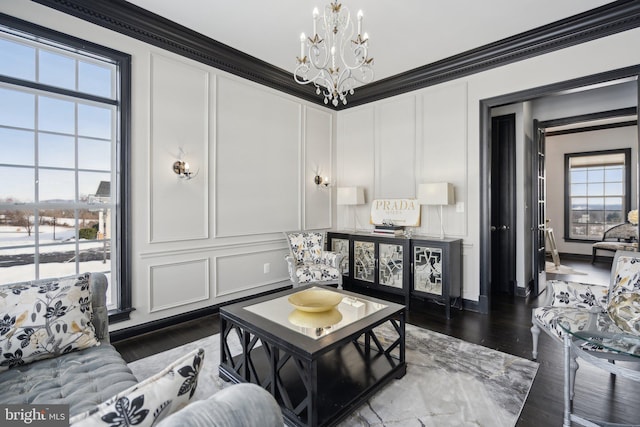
x: 506, y: 328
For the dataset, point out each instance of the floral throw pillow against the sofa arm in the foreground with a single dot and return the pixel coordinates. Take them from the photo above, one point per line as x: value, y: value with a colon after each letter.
x: 149, y: 401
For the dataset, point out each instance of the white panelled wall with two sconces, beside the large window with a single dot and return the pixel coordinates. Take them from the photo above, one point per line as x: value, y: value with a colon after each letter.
x: 204, y: 241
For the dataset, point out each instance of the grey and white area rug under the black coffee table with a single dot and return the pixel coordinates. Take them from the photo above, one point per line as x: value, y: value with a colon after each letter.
x: 449, y: 382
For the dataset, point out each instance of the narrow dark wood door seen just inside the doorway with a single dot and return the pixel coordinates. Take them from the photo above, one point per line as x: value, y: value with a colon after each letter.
x: 503, y: 204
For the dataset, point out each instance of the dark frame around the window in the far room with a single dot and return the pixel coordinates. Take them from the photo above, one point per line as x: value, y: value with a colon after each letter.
x: 567, y: 187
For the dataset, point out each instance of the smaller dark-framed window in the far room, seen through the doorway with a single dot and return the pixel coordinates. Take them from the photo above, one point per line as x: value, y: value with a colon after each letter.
x: 597, y: 194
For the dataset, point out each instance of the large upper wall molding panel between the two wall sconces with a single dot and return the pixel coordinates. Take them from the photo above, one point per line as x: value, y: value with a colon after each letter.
x: 257, y: 152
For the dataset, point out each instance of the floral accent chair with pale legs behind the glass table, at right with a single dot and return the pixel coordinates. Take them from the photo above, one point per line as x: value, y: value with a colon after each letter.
x: 576, y: 302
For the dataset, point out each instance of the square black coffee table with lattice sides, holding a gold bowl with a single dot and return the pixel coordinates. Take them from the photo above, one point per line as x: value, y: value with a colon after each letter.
x: 318, y: 367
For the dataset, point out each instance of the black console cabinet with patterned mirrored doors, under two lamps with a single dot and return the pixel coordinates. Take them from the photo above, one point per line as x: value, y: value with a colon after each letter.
x: 419, y: 267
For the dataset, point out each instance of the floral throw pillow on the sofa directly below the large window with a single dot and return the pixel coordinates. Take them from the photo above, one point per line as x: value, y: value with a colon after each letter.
x: 44, y: 319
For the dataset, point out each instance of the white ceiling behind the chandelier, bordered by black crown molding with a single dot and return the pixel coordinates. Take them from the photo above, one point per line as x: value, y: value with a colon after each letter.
x: 403, y: 34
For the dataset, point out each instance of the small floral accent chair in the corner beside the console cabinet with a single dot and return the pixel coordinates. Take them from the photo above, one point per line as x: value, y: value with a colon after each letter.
x: 308, y: 262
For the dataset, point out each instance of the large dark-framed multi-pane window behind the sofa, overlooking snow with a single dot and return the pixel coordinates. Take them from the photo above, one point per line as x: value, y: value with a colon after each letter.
x: 63, y: 143
